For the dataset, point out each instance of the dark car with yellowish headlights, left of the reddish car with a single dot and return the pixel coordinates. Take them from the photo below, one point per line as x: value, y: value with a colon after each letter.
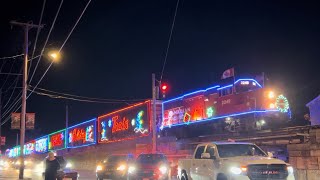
x: 114, y: 167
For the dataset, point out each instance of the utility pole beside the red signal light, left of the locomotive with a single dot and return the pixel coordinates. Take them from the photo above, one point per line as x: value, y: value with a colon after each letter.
x: 154, y: 118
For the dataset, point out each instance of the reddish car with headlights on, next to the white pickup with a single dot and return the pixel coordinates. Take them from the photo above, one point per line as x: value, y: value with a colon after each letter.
x: 150, y: 166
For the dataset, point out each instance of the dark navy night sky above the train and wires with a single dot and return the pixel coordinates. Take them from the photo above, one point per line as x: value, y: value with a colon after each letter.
x: 119, y: 43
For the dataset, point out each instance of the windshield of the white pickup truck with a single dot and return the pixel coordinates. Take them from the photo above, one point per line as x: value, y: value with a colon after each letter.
x: 231, y: 150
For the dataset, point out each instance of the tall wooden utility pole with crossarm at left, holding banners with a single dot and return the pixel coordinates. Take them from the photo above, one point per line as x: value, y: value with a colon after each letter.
x: 26, y: 27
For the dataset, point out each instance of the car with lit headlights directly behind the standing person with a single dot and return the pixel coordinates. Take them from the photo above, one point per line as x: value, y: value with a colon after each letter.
x: 65, y: 170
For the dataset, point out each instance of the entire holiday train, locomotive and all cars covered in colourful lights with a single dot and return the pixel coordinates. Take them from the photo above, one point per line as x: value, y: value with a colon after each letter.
x: 240, y: 105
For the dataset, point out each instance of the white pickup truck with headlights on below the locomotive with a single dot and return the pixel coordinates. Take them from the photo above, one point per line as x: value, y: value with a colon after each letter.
x: 232, y: 161
